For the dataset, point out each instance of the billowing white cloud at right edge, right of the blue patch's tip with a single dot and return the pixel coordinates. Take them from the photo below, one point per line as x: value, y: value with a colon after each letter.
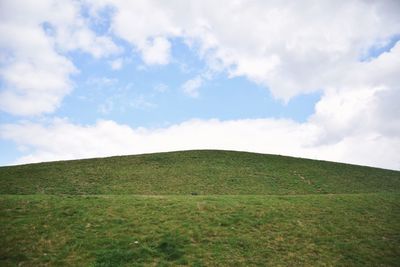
x: 365, y: 100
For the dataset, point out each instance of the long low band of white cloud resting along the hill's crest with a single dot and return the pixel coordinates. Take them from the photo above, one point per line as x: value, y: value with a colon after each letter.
x: 61, y: 139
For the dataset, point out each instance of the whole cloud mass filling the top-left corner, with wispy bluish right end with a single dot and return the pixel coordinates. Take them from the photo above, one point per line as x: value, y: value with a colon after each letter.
x: 35, y: 74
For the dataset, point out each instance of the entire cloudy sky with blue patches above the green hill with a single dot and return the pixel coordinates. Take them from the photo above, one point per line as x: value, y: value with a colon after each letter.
x: 315, y: 79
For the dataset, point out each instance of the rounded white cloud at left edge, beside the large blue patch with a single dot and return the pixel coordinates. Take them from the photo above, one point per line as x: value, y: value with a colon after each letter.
x: 33, y: 83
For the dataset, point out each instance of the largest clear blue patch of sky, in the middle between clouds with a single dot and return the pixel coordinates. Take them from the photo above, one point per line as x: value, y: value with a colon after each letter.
x: 152, y: 96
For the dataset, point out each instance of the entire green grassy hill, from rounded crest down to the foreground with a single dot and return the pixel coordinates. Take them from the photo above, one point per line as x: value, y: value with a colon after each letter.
x: 199, y: 208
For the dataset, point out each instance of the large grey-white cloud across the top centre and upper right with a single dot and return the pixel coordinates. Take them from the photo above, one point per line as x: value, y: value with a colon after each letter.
x: 291, y: 48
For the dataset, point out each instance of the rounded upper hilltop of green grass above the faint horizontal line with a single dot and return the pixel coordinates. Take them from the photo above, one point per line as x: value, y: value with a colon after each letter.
x: 204, y: 172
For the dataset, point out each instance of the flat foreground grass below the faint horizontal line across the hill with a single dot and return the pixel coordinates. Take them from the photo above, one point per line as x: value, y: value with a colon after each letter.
x: 127, y: 230
